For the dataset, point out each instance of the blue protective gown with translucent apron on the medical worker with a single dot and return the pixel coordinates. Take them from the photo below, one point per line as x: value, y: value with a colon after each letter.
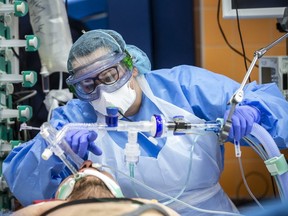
x: 185, y: 166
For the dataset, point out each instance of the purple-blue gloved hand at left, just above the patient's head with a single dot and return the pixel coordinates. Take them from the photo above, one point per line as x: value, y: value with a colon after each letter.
x: 82, y: 141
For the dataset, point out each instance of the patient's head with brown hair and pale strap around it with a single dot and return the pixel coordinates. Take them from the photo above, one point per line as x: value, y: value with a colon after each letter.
x: 89, y: 183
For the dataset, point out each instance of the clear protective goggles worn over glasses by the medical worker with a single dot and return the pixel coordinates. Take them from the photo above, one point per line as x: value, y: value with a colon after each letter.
x: 108, y: 74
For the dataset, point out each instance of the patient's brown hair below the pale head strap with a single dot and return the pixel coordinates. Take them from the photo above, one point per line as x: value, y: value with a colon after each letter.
x: 90, y: 187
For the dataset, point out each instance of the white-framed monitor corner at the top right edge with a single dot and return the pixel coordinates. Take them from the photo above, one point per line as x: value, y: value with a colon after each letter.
x: 249, y: 9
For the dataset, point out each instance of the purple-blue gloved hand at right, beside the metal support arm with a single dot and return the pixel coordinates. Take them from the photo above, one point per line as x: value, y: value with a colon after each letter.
x: 242, y: 121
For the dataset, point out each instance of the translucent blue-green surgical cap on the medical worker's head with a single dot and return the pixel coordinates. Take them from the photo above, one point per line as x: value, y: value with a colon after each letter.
x: 110, y: 43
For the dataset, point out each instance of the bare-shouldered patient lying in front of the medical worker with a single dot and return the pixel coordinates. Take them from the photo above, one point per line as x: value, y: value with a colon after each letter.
x: 92, y: 192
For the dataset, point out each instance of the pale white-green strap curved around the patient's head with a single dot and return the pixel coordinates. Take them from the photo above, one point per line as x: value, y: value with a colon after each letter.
x: 67, y: 186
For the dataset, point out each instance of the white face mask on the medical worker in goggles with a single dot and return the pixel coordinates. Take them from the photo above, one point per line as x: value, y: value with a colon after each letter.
x: 123, y: 98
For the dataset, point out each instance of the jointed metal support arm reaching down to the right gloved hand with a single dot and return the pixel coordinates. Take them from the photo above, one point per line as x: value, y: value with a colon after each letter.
x: 239, y: 94
